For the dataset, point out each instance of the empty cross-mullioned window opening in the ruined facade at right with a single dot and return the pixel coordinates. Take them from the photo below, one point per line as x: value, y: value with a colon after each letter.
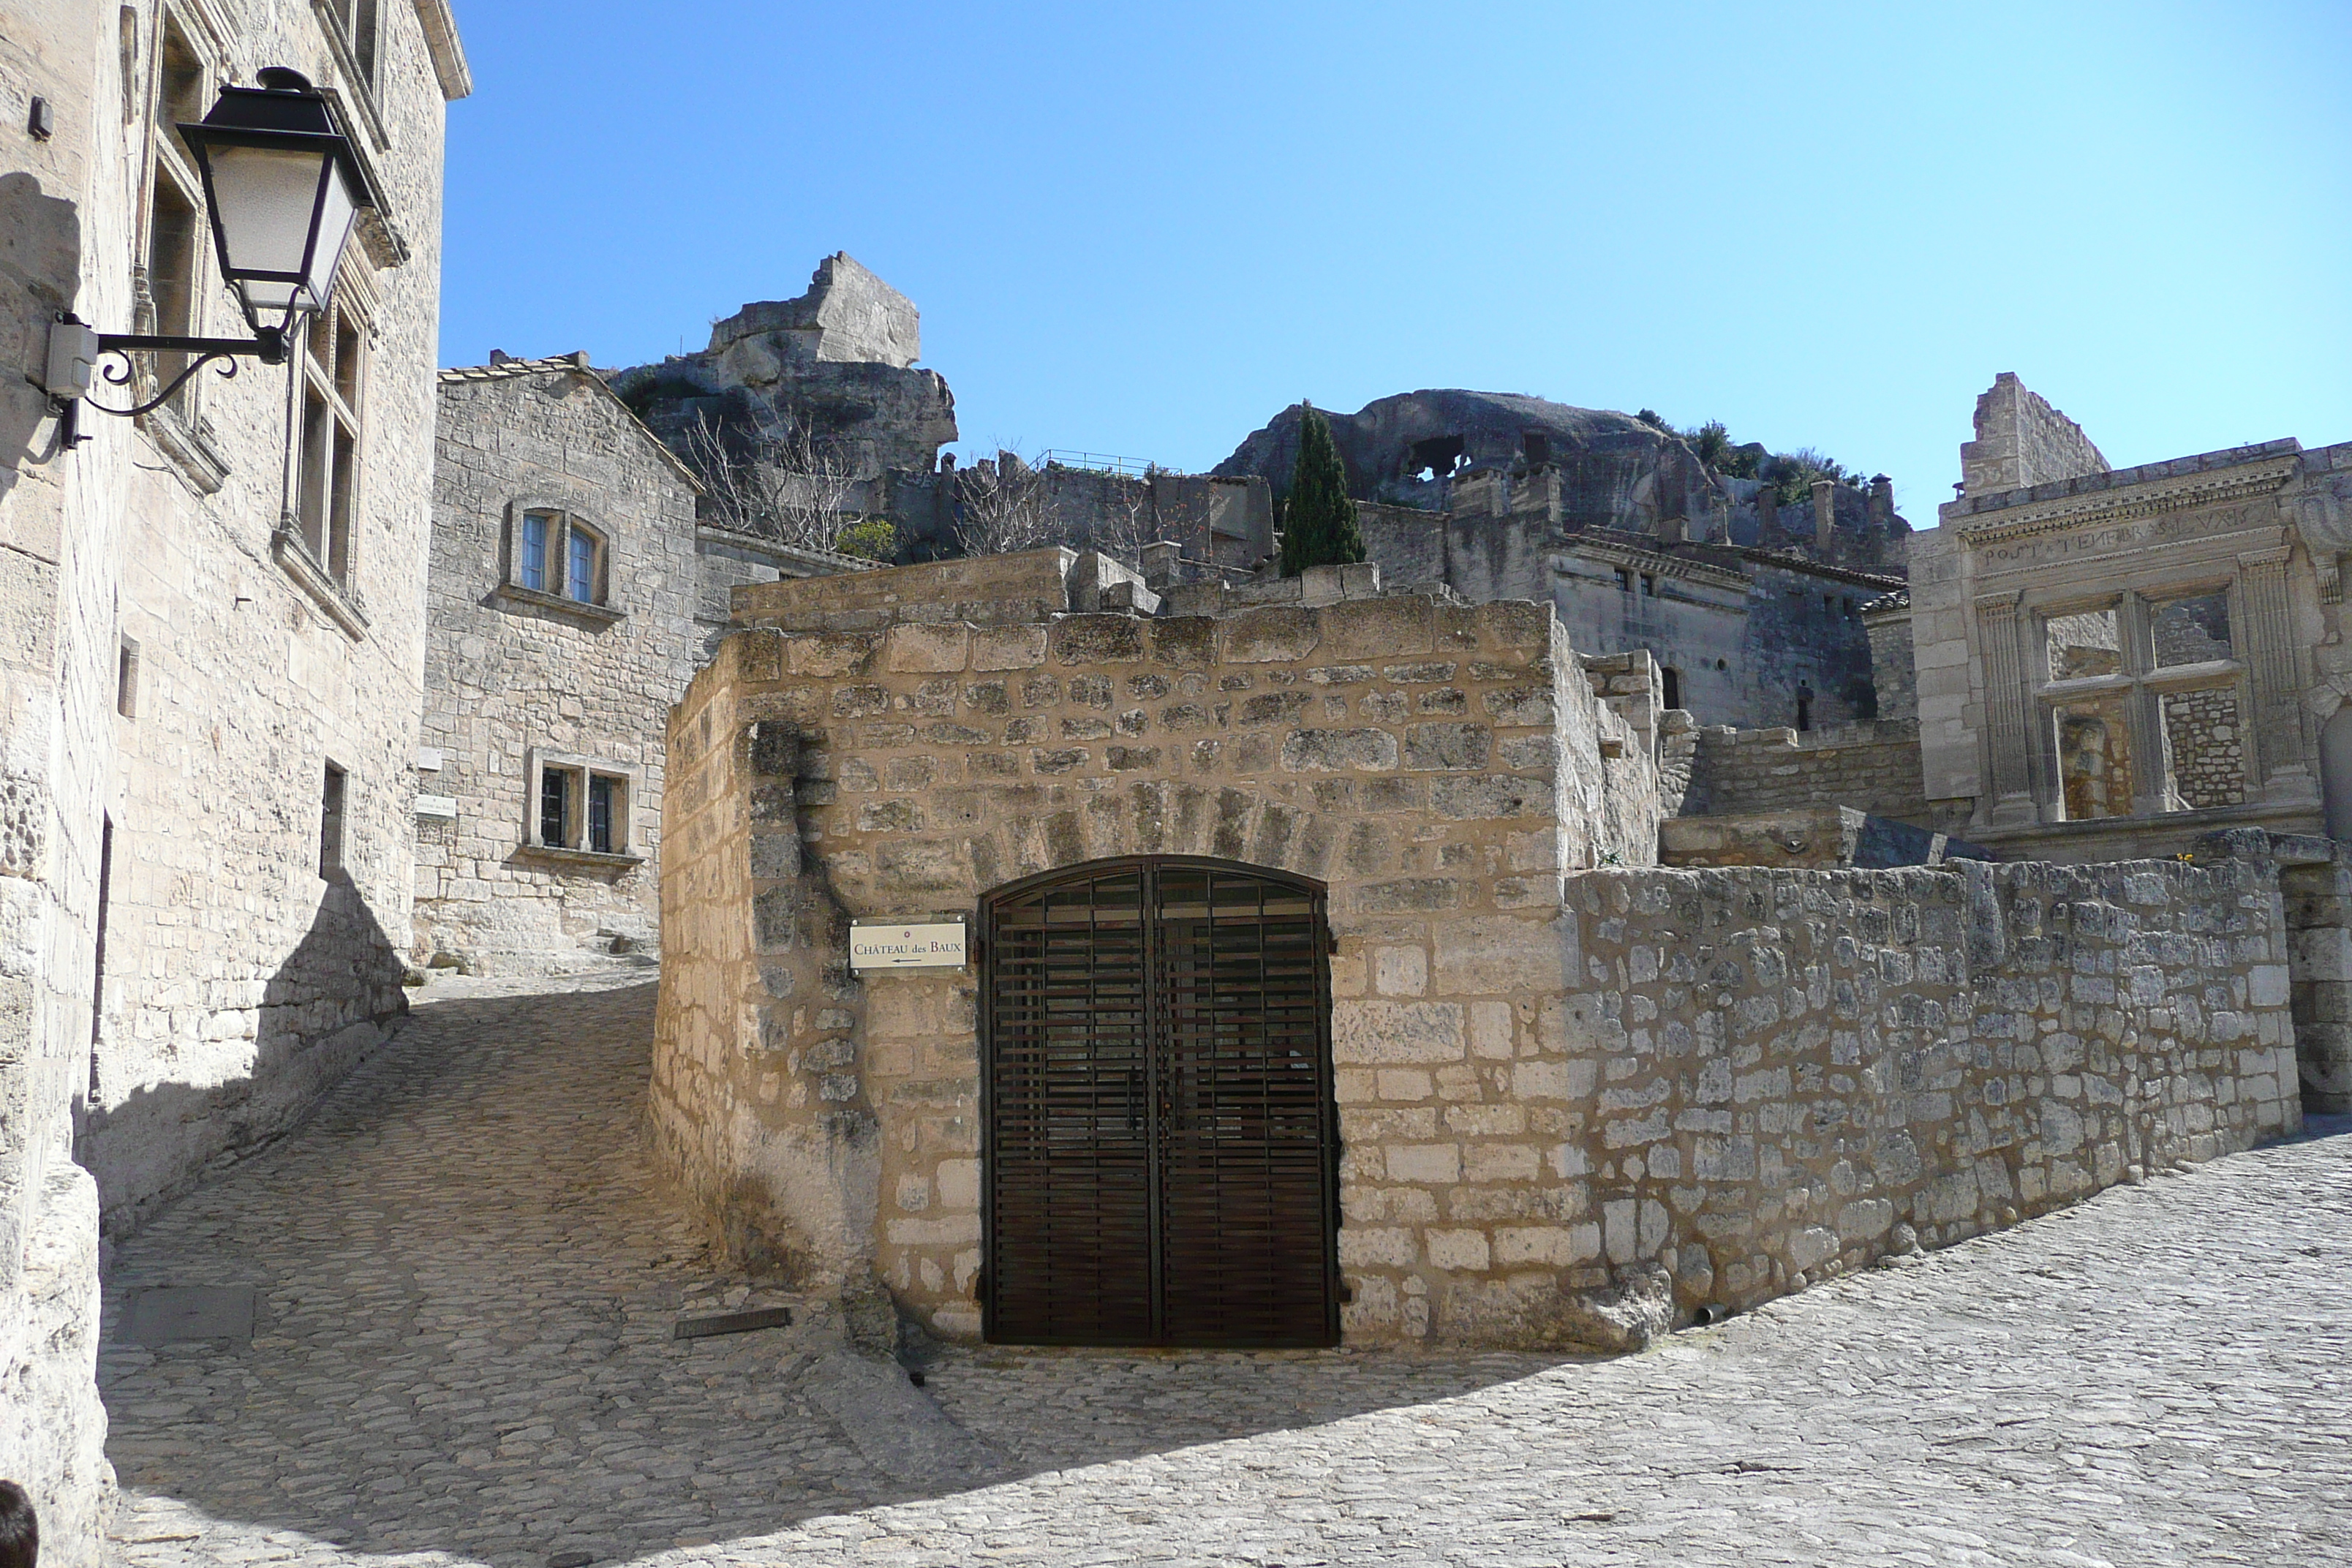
x: 2141, y: 699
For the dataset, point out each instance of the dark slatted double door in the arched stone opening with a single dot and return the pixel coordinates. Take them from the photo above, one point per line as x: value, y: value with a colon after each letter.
x: 1161, y: 1134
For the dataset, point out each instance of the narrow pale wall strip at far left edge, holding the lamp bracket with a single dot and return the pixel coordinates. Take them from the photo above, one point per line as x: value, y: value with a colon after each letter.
x: 60, y: 547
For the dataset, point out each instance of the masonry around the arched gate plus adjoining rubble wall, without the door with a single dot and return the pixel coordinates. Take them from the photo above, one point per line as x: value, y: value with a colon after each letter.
x: 1551, y: 1076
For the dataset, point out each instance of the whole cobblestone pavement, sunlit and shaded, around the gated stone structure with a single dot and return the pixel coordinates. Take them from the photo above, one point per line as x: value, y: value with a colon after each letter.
x: 465, y: 1355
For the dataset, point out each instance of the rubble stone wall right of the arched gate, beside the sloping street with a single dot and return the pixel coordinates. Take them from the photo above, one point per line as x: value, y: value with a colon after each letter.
x: 1784, y: 1076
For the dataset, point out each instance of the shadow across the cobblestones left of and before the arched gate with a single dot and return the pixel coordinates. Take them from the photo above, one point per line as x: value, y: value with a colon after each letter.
x: 469, y: 1280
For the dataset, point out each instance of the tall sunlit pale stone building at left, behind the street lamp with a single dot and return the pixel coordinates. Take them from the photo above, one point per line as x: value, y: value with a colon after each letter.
x: 215, y: 631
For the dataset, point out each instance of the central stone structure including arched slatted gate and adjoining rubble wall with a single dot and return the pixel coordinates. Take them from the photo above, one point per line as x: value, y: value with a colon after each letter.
x: 1323, y: 984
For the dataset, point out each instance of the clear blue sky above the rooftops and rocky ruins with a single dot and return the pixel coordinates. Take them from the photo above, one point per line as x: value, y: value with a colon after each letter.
x: 1147, y: 229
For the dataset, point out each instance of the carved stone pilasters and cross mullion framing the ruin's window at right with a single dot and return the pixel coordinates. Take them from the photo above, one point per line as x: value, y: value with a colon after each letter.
x: 2141, y: 683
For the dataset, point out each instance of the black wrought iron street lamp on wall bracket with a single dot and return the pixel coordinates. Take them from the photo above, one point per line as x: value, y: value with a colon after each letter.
x: 283, y: 192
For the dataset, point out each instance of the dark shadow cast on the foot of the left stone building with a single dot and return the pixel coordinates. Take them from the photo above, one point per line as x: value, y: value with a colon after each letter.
x: 326, y: 1007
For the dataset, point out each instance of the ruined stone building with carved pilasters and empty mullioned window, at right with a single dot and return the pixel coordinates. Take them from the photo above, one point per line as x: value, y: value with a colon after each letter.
x: 2113, y: 664
